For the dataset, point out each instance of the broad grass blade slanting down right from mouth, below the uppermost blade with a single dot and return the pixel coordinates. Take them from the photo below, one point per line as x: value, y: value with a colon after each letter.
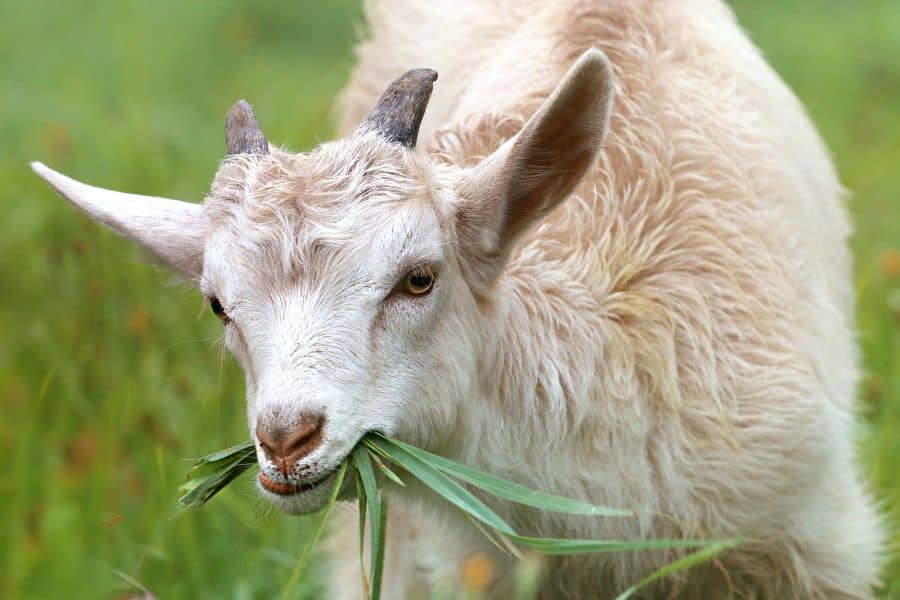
x: 440, y: 483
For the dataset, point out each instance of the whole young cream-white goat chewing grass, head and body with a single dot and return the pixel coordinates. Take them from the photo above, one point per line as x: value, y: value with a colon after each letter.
x: 669, y: 327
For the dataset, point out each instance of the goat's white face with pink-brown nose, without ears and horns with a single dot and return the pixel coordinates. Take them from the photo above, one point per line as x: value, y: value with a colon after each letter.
x: 342, y: 300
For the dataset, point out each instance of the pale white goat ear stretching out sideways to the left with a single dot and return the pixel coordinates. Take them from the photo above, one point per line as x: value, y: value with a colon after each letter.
x: 172, y: 230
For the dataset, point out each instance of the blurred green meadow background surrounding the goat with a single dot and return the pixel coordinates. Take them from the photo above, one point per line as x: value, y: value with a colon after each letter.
x: 111, y: 374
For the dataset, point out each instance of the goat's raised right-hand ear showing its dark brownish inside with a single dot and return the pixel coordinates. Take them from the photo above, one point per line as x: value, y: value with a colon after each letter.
x: 533, y: 172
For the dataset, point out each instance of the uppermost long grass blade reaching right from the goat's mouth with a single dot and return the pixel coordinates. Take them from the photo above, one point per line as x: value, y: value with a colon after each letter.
x: 509, y: 490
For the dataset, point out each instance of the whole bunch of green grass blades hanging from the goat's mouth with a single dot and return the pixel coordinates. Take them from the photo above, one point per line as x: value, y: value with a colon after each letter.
x: 445, y: 477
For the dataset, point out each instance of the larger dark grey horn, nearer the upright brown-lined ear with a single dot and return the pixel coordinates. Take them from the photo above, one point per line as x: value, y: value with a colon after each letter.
x: 399, y: 113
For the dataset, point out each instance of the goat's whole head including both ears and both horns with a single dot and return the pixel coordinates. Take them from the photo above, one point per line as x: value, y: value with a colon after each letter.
x: 357, y: 283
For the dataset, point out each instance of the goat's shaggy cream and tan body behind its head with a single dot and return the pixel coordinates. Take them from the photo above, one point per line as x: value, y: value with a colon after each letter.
x: 678, y: 336
